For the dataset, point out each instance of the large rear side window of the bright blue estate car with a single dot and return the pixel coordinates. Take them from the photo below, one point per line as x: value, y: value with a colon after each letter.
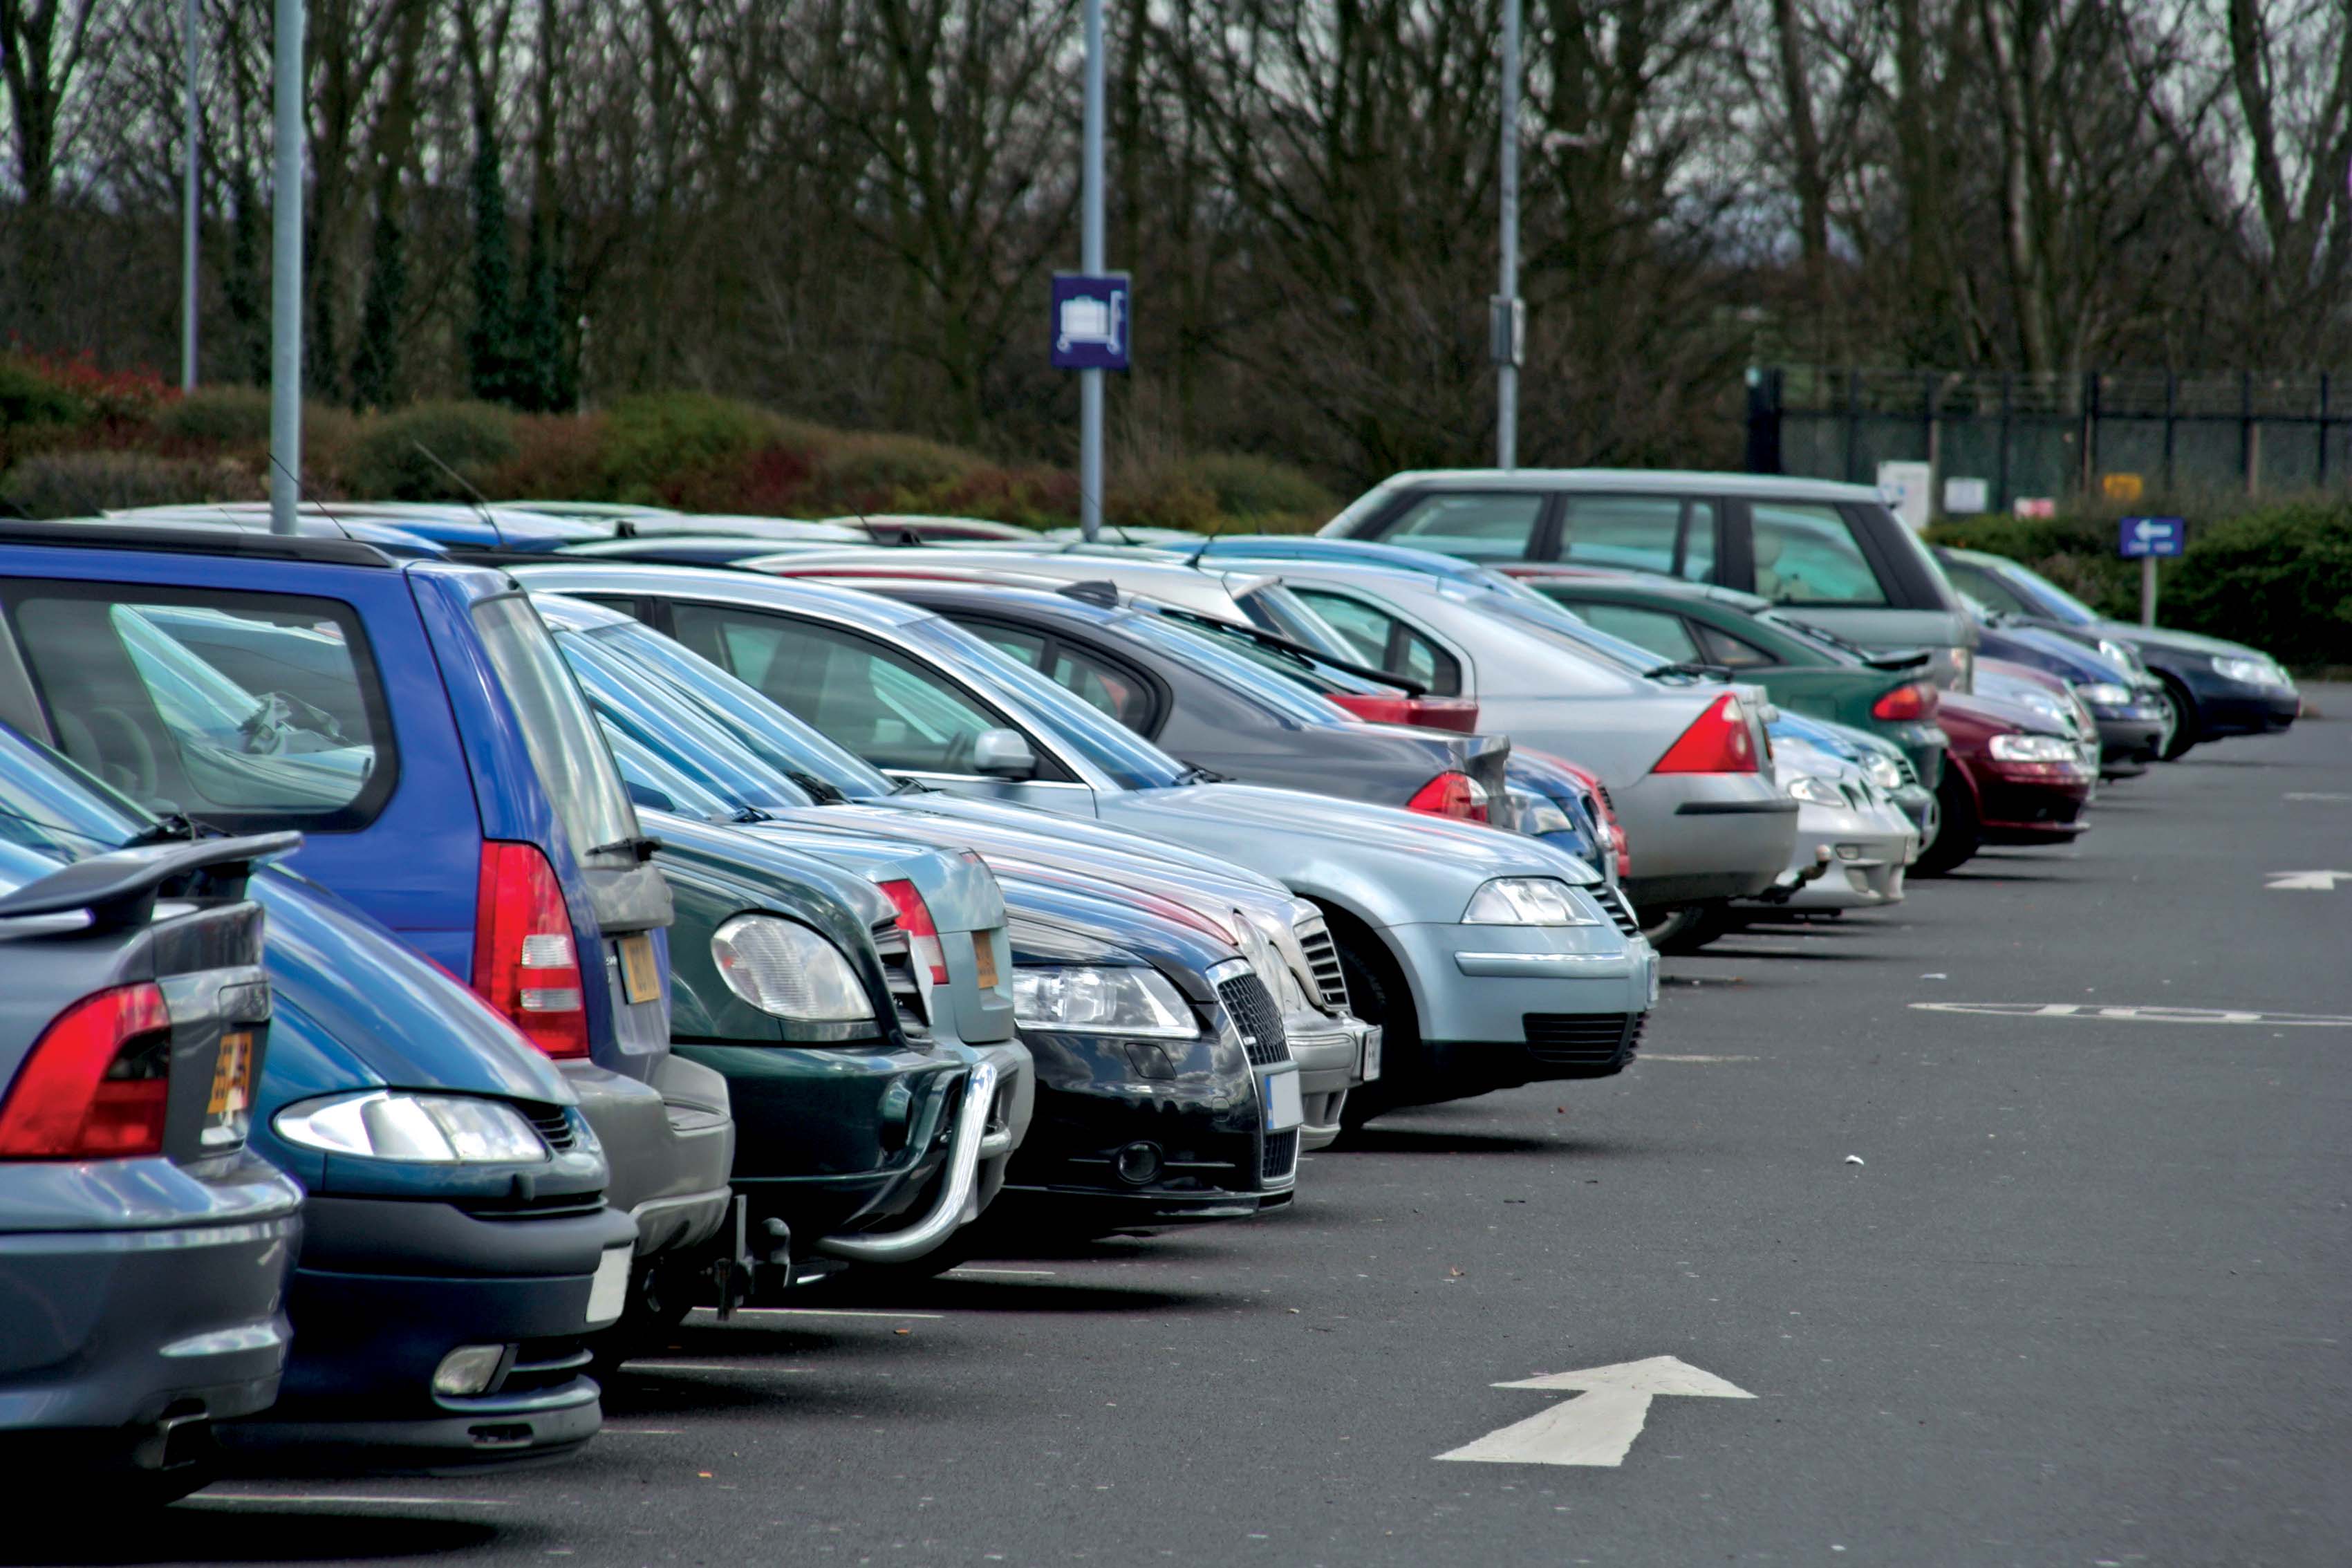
x: 246, y: 711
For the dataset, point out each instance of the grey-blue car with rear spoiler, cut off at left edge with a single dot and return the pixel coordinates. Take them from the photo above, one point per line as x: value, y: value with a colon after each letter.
x: 145, y: 1245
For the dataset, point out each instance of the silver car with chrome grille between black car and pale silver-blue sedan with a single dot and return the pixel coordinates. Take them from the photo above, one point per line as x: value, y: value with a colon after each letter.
x: 683, y: 718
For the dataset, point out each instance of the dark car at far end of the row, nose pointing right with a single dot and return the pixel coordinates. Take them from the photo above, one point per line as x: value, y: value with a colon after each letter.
x: 2217, y: 688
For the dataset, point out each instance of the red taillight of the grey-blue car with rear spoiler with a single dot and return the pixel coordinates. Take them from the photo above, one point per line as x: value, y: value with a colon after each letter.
x: 98, y: 1080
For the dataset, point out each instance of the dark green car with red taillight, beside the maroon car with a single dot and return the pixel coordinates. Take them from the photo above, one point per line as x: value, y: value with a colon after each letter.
x: 1800, y: 666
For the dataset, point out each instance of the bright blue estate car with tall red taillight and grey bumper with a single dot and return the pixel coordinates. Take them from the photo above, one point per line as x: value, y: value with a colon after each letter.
x: 417, y: 725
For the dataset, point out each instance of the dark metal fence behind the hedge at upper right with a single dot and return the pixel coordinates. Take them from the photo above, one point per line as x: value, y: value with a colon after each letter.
x: 2054, y: 436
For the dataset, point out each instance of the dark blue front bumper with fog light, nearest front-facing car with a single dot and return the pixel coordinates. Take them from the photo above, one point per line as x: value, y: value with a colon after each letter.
x: 387, y: 1289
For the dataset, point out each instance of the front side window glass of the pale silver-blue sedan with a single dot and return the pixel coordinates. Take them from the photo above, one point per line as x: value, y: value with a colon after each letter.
x: 881, y: 704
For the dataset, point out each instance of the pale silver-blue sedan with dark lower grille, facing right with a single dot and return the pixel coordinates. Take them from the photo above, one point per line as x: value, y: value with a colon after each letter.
x: 1488, y: 958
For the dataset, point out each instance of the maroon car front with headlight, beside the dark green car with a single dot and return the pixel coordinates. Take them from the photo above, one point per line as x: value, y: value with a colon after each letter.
x: 2010, y: 779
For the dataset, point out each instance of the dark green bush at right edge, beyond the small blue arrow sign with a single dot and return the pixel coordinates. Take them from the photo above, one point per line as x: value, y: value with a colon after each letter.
x: 2278, y: 579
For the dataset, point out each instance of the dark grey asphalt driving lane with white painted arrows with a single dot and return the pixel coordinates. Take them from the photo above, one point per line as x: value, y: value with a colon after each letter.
x: 2057, y: 1282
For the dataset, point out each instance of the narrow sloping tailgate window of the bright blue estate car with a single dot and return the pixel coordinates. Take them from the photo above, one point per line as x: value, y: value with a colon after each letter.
x: 566, y: 746
